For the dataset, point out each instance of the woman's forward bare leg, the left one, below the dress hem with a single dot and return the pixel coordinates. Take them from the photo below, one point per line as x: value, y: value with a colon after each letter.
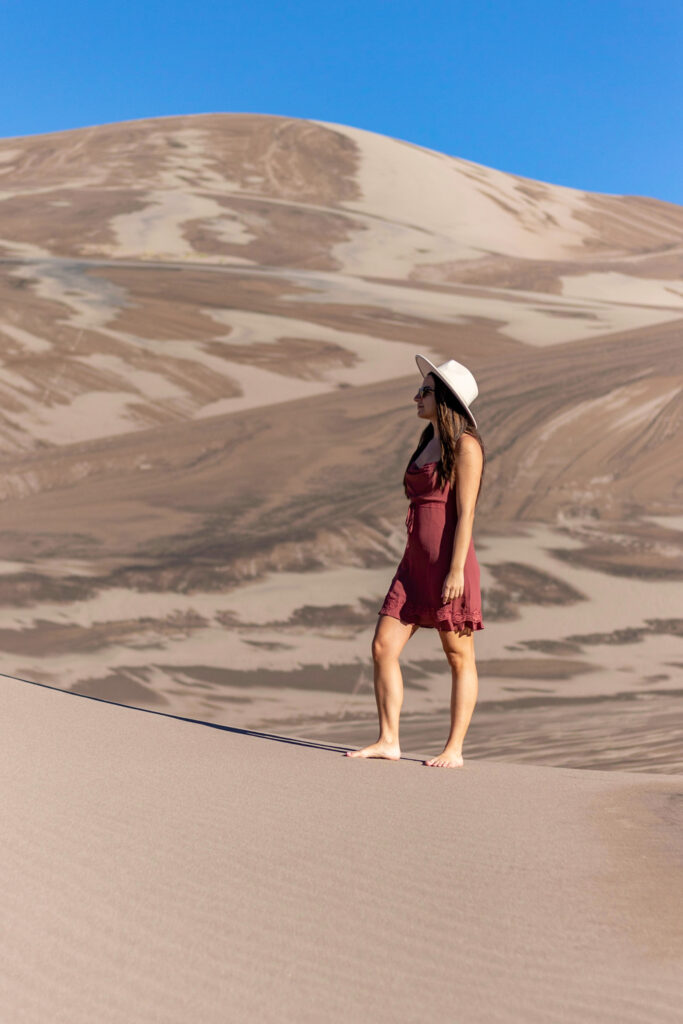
x: 391, y: 637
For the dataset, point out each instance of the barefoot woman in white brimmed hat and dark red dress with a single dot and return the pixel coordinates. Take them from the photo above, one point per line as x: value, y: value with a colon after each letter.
x: 437, y: 584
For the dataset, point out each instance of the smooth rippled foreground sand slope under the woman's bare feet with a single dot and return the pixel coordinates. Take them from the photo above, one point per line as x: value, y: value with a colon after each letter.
x: 157, y: 870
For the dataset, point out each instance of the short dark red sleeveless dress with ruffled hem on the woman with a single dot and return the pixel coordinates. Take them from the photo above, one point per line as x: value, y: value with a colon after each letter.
x: 415, y: 594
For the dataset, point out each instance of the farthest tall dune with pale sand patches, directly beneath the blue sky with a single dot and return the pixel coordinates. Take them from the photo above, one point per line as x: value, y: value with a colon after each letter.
x: 290, y: 217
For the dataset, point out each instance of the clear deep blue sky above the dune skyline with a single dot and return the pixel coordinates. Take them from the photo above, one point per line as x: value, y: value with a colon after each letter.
x: 586, y: 94
